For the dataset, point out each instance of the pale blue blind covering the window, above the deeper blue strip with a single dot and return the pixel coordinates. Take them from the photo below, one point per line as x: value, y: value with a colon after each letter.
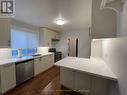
x: 23, y: 39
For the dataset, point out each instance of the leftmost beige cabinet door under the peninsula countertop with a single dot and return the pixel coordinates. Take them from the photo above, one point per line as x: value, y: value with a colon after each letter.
x: 67, y: 78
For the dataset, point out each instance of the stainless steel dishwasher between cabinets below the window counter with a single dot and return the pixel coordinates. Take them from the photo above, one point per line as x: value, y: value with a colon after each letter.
x: 24, y: 71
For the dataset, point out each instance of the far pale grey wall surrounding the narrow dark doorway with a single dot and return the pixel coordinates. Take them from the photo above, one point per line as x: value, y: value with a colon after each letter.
x: 84, y: 42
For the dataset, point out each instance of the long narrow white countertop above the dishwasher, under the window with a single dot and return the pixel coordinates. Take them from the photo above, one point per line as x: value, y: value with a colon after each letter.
x: 14, y: 60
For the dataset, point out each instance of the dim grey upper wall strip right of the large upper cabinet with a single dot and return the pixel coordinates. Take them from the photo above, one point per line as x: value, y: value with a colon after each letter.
x: 122, y: 21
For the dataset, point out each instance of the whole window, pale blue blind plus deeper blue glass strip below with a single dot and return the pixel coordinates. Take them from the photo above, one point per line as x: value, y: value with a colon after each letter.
x: 28, y: 41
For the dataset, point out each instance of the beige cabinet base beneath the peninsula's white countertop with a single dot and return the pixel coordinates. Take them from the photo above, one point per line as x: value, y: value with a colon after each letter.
x: 83, y: 83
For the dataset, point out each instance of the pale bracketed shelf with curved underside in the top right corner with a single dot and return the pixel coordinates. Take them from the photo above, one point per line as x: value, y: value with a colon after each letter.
x: 115, y: 5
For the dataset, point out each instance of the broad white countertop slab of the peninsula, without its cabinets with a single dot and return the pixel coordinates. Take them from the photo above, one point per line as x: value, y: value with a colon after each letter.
x: 93, y: 66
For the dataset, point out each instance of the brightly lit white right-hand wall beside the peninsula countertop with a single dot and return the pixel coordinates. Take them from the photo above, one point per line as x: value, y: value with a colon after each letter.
x: 115, y: 55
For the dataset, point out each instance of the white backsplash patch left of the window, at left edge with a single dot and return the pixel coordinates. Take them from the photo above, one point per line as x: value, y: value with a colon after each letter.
x: 5, y: 53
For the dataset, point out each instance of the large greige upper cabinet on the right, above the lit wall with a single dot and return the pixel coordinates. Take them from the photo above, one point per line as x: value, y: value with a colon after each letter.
x: 104, y: 21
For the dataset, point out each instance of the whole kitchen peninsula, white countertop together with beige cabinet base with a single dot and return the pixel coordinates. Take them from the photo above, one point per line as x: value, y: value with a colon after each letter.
x: 86, y: 76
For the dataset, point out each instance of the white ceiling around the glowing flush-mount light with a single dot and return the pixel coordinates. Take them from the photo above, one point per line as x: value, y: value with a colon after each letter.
x: 43, y: 13
